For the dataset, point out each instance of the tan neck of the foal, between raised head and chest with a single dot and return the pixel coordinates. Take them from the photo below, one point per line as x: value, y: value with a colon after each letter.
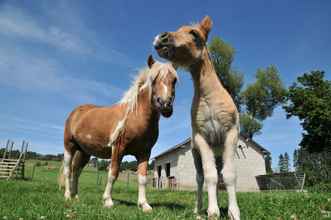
x: 204, y: 77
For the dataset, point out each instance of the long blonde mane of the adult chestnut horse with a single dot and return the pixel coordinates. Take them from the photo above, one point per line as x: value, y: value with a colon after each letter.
x: 143, y: 81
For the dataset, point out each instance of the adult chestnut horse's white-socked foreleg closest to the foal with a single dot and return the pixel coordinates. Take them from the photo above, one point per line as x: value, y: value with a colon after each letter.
x: 142, y: 181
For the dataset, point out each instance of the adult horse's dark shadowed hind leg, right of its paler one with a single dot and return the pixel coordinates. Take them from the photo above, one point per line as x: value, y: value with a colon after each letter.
x: 79, y: 161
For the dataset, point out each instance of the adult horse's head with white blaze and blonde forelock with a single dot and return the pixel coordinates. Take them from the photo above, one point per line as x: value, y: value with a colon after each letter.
x: 164, y: 78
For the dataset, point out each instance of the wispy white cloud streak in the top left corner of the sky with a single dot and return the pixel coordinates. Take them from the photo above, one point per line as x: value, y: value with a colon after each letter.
x: 67, y: 33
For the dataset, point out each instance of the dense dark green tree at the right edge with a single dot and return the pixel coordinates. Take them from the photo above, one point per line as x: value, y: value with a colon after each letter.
x: 310, y: 100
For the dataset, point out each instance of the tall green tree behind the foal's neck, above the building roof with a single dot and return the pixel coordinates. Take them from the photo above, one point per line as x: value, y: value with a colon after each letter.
x: 258, y: 101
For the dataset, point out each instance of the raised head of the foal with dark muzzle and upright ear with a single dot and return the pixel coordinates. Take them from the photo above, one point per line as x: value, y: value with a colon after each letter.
x: 184, y: 47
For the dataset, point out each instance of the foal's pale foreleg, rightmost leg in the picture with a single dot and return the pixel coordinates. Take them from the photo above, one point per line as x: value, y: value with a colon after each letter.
x: 229, y: 172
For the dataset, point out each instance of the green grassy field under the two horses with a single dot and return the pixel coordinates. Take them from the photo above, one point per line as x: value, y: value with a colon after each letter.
x: 41, y: 199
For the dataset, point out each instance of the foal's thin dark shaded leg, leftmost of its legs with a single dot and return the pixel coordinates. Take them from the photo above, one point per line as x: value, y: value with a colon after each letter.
x: 199, y: 178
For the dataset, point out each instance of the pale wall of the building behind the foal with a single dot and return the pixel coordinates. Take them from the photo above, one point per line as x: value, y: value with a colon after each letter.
x: 249, y: 163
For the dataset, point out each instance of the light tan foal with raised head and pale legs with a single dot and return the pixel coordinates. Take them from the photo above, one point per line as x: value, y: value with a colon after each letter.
x: 215, y: 119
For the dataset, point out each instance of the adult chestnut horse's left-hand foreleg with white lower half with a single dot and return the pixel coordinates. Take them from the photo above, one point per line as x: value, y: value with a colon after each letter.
x: 113, y: 172
